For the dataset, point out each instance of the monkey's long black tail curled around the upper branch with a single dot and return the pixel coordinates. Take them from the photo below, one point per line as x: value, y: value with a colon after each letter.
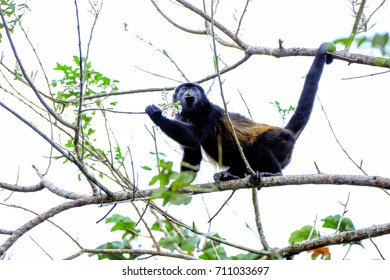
x: 305, y: 104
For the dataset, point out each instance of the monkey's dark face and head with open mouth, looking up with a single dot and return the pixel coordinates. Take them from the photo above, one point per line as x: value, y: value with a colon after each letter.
x: 188, y: 94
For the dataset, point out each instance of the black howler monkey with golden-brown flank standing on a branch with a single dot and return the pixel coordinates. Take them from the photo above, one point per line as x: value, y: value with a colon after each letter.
x: 202, y: 124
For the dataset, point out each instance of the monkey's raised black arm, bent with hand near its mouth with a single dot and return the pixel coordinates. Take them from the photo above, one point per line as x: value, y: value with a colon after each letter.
x: 184, y: 133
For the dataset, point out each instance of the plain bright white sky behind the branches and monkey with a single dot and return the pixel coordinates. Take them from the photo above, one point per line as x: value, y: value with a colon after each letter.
x: 357, y: 109
